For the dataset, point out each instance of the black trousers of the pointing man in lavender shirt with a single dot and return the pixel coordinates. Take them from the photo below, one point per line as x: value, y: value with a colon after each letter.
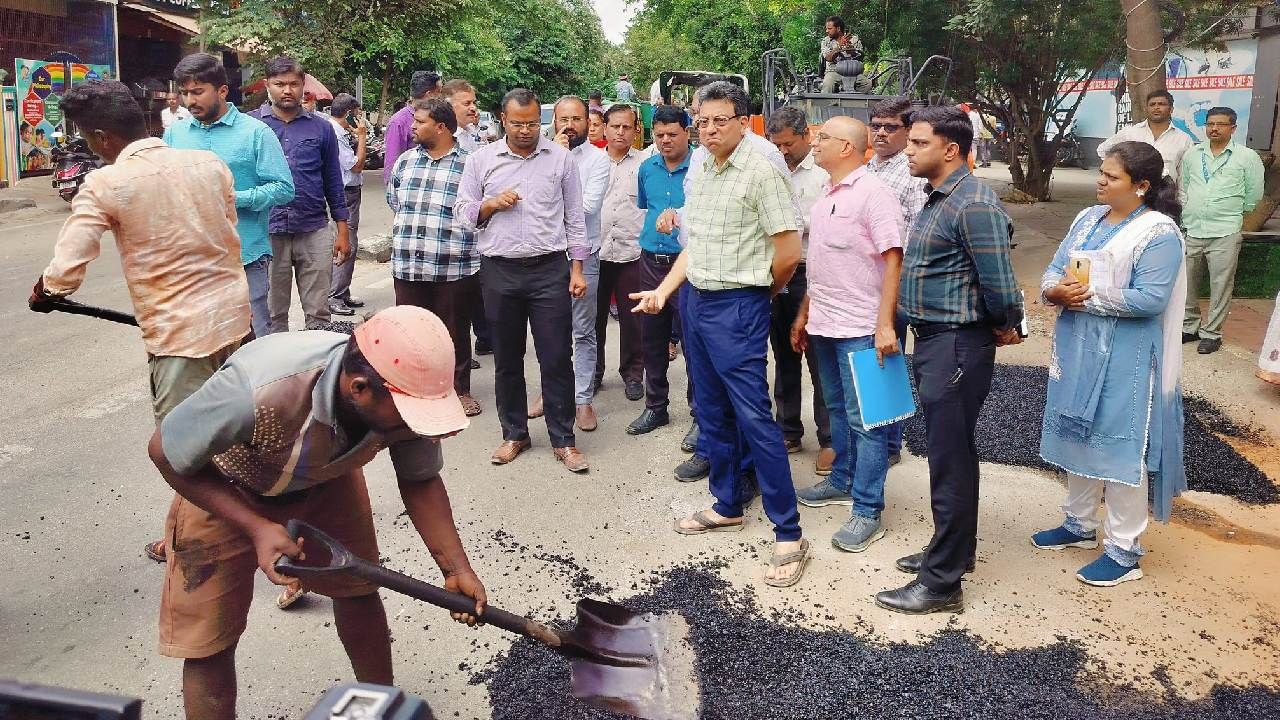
x: 524, y: 295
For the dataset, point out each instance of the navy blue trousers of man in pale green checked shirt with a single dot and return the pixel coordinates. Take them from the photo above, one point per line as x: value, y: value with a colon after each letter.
x: 726, y: 344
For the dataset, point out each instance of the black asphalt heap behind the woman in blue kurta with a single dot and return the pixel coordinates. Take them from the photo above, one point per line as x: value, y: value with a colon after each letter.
x: 1009, y: 434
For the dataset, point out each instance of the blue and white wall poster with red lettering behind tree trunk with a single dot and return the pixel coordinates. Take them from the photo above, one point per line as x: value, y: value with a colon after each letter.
x: 1199, y: 81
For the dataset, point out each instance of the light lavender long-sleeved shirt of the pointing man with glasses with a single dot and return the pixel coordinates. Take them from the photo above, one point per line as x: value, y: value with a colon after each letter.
x: 550, y: 217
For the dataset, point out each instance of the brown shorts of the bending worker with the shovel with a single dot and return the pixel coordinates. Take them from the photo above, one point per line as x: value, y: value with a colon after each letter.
x: 211, y: 566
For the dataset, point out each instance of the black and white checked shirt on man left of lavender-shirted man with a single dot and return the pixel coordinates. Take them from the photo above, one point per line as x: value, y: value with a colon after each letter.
x: 428, y: 244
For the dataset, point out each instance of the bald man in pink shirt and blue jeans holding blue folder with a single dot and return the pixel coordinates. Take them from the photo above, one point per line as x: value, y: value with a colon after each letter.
x: 856, y: 258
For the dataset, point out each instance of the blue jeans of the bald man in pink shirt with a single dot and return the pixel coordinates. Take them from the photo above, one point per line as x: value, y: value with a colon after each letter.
x: 862, y: 455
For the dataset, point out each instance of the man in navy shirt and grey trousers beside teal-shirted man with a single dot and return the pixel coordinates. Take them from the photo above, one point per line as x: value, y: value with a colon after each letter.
x: 303, y: 244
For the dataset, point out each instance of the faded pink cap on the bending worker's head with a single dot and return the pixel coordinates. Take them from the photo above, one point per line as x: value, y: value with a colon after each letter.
x: 412, y: 350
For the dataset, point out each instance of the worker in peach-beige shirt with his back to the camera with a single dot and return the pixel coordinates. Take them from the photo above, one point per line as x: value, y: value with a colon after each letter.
x: 173, y: 216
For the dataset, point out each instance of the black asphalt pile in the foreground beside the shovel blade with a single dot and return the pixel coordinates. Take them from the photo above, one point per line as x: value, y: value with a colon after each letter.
x: 756, y: 664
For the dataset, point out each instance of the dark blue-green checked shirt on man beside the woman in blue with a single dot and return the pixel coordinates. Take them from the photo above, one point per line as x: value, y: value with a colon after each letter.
x: 957, y: 268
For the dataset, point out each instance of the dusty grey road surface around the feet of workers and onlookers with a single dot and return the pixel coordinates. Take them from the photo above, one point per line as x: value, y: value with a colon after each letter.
x: 80, y: 500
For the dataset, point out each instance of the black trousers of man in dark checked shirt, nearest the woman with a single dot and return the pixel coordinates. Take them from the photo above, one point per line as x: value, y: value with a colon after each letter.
x: 953, y: 376
